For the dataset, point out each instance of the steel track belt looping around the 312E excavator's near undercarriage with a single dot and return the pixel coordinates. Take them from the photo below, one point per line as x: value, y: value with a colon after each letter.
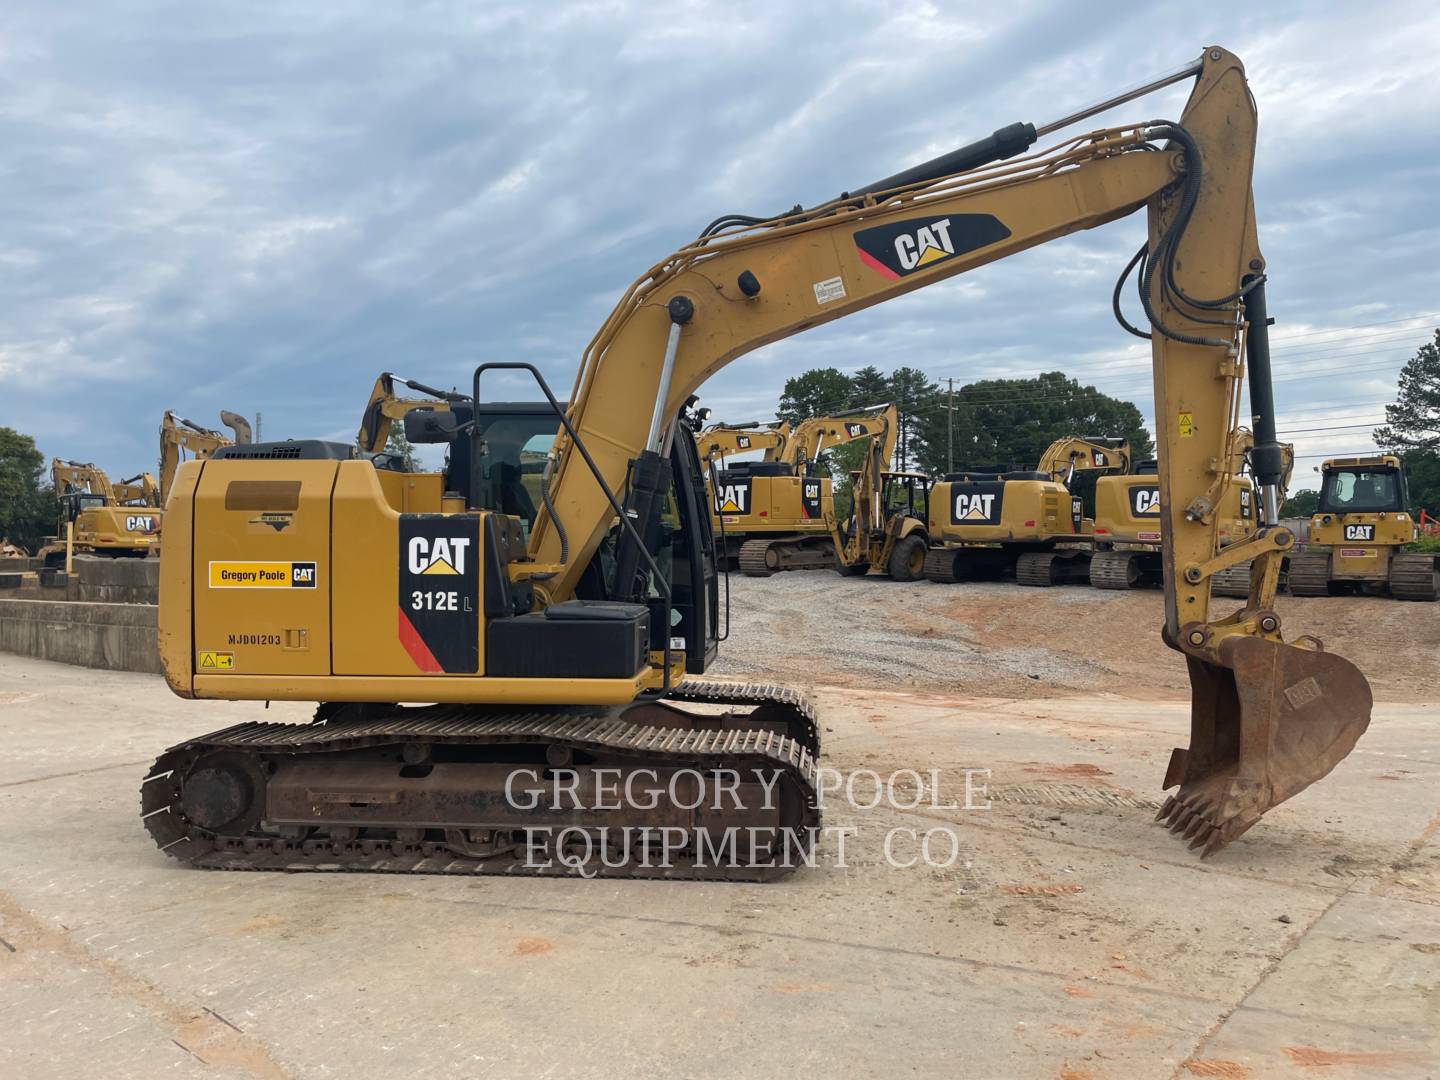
x: 604, y: 734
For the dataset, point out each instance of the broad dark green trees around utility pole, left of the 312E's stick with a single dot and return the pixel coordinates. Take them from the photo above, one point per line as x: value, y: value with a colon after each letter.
x: 1012, y: 421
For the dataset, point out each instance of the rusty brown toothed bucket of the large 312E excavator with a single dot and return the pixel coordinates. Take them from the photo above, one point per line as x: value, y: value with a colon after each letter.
x: 1266, y: 724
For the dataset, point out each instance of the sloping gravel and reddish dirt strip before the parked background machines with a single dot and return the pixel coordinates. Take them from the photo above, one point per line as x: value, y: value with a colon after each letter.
x: 999, y: 640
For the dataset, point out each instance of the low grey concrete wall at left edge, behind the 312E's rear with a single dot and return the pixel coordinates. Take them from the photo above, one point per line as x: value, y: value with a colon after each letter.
x: 116, y: 637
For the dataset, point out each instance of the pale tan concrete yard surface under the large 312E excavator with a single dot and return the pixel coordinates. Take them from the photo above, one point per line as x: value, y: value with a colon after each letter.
x: 1068, y: 937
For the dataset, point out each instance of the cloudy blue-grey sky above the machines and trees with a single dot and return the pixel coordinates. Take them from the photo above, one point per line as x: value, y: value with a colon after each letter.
x: 260, y: 207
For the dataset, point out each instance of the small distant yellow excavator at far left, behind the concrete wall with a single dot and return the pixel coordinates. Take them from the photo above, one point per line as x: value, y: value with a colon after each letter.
x: 102, y: 525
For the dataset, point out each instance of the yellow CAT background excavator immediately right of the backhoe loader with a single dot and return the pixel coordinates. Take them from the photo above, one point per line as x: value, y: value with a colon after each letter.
x: 994, y: 523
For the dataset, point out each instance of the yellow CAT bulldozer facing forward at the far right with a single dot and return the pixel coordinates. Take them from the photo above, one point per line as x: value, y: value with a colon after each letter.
x: 1364, y: 521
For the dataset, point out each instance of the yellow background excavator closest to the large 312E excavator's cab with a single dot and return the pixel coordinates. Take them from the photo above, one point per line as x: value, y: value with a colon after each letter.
x: 775, y: 515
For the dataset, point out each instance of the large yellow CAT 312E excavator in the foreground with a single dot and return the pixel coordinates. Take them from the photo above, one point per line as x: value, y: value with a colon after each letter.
x: 505, y: 703
